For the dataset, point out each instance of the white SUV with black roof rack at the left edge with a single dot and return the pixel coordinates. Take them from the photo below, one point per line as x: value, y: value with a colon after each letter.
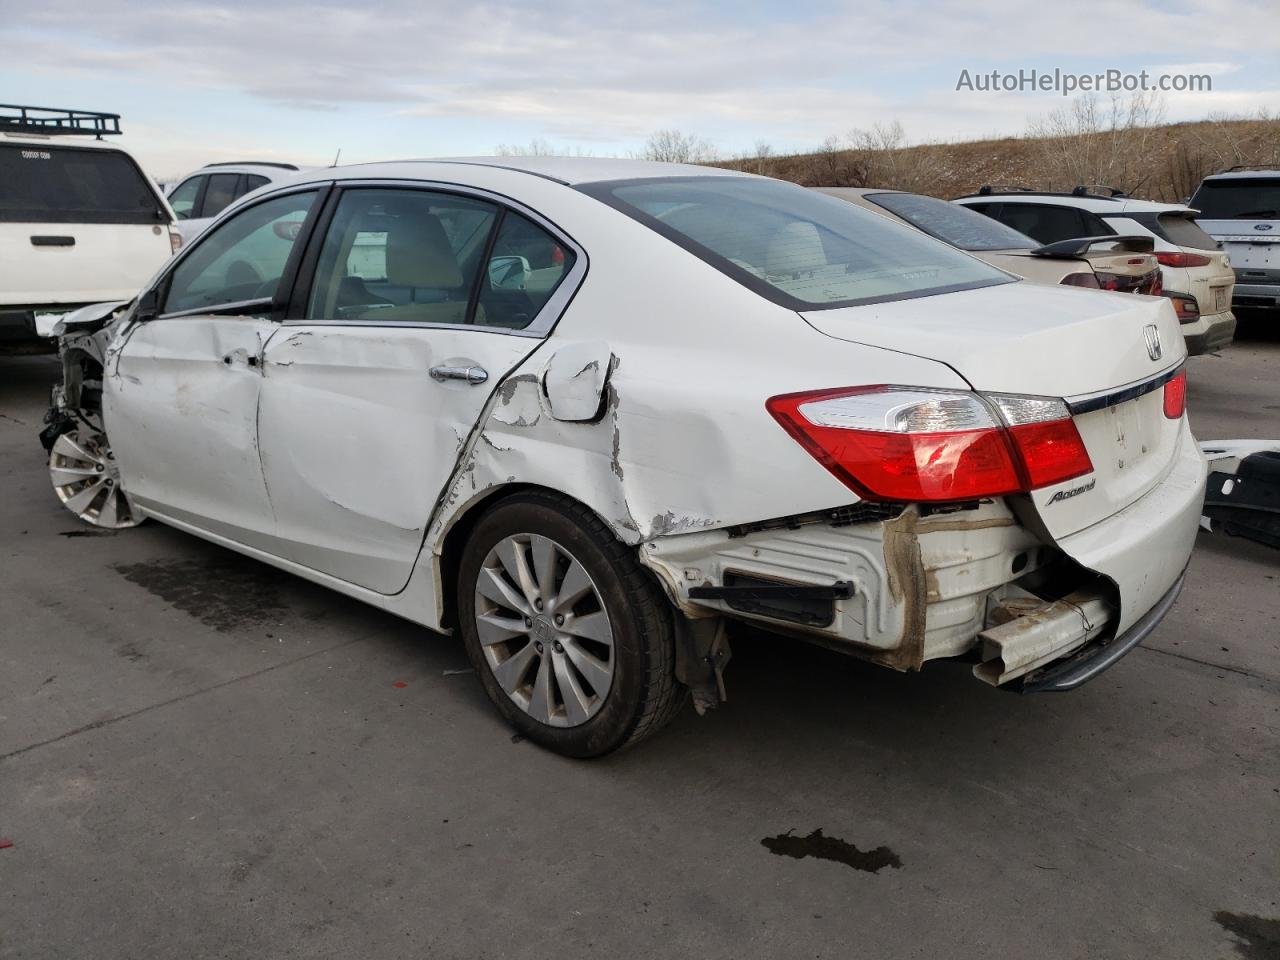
x: 80, y: 222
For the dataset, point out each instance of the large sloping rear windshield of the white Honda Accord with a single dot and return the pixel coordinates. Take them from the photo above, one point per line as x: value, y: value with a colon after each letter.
x: 794, y: 246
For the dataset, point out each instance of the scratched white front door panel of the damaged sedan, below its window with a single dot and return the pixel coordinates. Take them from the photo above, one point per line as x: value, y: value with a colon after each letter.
x: 186, y: 390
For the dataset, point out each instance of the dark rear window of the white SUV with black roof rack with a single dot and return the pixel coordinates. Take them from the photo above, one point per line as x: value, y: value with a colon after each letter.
x: 67, y: 185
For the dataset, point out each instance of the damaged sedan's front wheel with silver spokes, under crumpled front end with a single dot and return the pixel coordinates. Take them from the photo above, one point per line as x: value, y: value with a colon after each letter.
x: 88, y: 482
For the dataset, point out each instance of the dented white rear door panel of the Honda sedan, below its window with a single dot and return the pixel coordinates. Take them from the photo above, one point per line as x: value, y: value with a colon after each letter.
x: 359, y: 437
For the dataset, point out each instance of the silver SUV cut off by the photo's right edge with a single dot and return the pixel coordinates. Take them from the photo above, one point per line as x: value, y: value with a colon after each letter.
x: 1241, y: 209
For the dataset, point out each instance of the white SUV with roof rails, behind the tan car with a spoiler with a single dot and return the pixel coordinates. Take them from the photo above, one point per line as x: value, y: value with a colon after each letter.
x: 1197, y: 275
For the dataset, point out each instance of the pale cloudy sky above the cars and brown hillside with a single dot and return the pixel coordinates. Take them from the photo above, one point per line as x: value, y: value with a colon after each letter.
x: 299, y: 81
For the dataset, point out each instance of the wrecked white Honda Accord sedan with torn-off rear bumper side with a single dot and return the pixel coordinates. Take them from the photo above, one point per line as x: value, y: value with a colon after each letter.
x: 587, y: 412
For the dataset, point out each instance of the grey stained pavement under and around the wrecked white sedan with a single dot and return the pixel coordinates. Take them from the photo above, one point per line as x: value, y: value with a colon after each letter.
x: 202, y: 757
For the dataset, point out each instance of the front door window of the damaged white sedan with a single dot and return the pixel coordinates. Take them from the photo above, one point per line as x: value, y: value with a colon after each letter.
x: 243, y: 259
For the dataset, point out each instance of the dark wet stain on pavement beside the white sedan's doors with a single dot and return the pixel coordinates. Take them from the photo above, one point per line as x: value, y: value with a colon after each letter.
x: 225, y: 593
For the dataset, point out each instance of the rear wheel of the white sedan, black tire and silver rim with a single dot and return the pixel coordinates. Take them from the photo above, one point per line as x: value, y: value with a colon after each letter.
x: 582, y: 714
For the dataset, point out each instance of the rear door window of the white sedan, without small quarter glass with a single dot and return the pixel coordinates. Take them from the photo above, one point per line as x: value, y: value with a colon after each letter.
x: 401, y: 255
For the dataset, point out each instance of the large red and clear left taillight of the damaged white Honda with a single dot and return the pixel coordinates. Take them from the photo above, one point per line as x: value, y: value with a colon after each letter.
x: 917, y: 445
